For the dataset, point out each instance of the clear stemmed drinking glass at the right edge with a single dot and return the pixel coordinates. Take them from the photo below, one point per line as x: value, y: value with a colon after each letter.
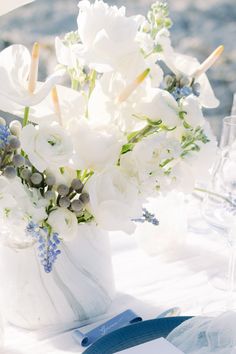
x: 219, y: 207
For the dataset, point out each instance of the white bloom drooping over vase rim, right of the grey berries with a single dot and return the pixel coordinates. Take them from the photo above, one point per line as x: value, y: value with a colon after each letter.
x: 114, y: 200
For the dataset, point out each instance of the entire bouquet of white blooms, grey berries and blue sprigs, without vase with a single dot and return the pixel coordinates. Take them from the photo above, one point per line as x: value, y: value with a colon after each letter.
x: 131, y: 126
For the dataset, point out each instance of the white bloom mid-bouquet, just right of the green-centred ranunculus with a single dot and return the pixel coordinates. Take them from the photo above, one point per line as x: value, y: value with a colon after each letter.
x: 96, y: 146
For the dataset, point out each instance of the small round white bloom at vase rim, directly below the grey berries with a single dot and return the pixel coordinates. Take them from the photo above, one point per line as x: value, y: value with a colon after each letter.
x: 64, y: 222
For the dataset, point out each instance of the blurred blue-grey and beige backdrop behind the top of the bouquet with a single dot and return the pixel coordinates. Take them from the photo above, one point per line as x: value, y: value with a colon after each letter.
x: 199, y: 27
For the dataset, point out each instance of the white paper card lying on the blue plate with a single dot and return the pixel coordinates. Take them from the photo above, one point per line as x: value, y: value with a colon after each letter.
x: 157, y: 346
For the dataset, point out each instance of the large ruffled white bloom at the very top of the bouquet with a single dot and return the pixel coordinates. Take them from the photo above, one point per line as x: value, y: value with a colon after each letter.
x: 106, y: 29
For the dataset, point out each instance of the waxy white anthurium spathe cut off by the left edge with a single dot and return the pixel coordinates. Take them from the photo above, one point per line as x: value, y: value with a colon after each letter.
x: 15, y: 64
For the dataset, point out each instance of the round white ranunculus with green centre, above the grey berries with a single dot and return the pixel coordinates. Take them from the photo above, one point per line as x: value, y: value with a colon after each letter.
x: 47, y: 146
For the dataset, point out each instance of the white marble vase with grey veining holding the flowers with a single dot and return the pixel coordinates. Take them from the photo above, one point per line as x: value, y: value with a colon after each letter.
x: 79, y: 287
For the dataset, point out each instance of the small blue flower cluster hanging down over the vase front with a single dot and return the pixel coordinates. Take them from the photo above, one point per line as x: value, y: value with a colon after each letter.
x: 47, y: 245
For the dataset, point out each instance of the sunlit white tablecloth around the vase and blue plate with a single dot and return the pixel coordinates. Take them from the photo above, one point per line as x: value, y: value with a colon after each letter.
x: 147, y: 285
